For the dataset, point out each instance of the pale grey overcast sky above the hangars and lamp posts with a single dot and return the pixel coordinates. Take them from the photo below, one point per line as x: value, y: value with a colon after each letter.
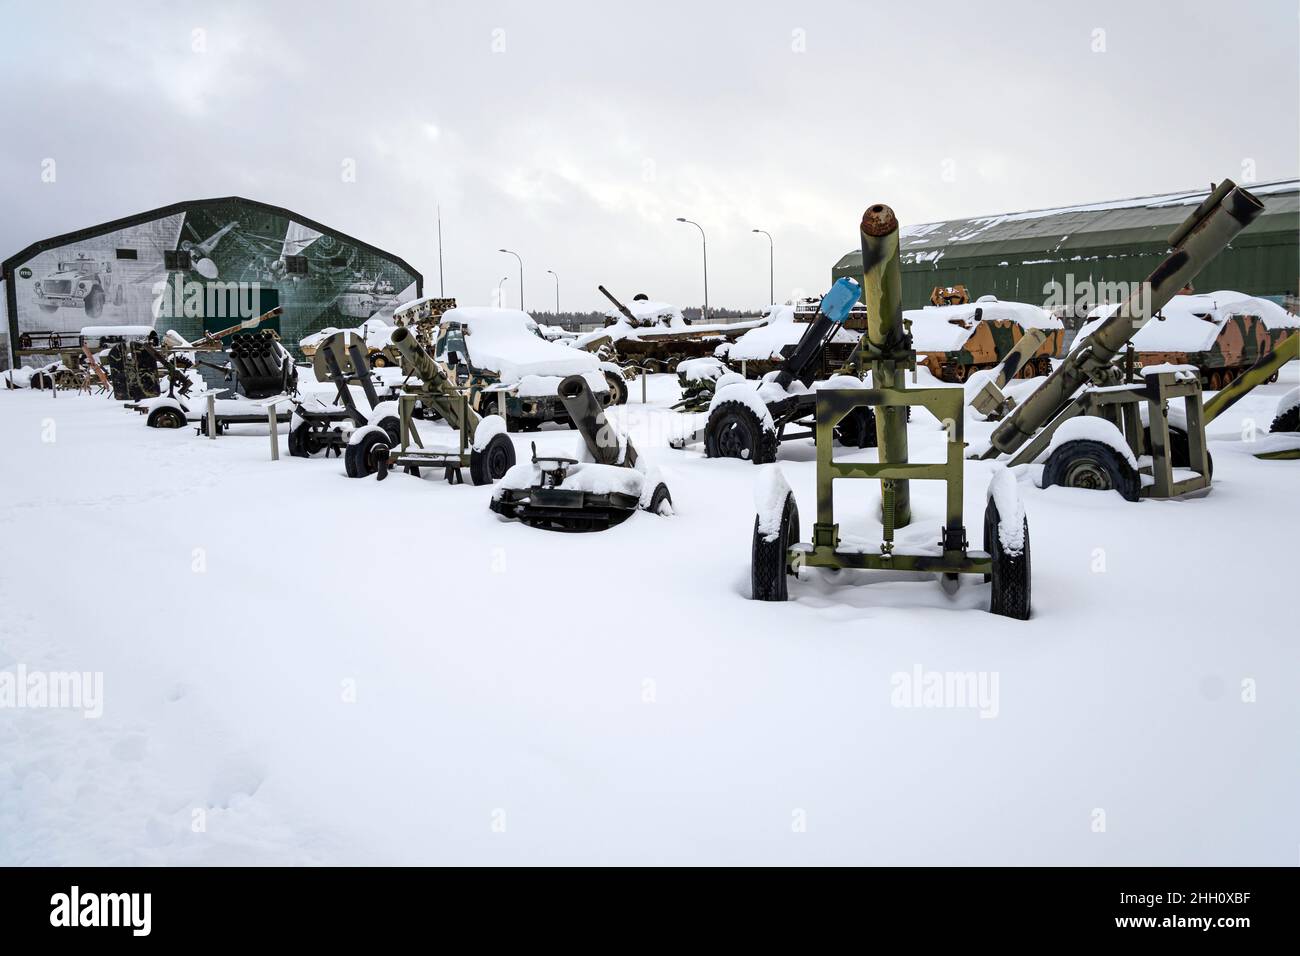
x: 578, y: 133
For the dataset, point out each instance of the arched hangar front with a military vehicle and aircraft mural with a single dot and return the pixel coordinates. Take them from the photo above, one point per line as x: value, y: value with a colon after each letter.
x: 198, y: 266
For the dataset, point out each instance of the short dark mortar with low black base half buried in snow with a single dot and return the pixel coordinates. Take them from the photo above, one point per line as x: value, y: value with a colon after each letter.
x: 596, y: 492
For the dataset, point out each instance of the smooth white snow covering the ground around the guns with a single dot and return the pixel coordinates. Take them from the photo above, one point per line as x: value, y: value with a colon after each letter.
x: 301, y: 668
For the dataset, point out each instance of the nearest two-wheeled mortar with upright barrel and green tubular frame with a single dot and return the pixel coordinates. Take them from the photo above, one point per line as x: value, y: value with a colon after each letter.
x: 887, y: 351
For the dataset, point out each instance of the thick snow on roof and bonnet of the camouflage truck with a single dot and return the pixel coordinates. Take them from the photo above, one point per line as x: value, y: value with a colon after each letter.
x: 501, y: 340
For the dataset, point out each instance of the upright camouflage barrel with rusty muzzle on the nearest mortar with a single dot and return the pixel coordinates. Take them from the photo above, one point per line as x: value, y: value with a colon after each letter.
x: 887, y: 345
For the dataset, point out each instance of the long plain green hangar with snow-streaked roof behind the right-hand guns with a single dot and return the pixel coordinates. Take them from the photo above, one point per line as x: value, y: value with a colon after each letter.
x: 1026, y: 257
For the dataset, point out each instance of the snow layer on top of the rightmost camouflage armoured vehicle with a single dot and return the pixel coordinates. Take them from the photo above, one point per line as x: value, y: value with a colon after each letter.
x: 1191, y: 323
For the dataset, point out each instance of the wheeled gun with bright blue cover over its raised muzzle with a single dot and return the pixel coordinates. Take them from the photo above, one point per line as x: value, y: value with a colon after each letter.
x: 751, y: 419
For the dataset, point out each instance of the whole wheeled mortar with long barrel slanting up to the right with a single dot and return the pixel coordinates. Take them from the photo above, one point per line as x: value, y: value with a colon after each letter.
x: 1087, y: 417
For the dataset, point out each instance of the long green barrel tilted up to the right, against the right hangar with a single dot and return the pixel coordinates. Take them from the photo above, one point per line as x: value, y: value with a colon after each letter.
x: 1203, y: 236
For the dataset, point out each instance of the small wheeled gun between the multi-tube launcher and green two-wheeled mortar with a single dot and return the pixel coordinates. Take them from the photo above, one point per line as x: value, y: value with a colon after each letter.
x: 341, y: 360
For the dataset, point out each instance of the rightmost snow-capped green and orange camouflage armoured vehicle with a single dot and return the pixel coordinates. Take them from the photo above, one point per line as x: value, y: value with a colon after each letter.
x: 1221, y: 334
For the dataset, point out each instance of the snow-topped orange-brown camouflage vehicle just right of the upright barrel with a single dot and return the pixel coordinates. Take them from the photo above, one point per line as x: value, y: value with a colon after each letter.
x: 956, y: 341
